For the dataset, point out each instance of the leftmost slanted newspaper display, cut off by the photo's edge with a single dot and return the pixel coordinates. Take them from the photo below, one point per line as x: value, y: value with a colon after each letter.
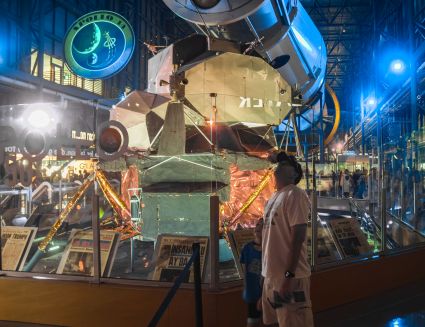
x: 15, y: 245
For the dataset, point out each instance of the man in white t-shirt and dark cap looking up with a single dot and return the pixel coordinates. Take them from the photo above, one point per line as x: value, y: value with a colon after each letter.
x: 286, y: 271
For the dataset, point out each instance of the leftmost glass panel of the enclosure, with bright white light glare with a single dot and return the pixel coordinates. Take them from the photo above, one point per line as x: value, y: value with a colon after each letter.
x: 45, y: 195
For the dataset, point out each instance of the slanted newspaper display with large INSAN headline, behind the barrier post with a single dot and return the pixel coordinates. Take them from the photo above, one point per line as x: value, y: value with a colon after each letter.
x: 172, y: 253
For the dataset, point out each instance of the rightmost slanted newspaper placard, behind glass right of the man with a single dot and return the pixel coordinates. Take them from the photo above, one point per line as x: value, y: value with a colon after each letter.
x: 351, y: 239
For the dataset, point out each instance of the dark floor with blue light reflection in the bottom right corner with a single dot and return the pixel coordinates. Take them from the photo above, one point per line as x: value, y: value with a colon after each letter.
x: 403, y: 307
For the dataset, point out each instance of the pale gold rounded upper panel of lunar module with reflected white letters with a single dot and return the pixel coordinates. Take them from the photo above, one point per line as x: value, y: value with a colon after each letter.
x: 241, y: 88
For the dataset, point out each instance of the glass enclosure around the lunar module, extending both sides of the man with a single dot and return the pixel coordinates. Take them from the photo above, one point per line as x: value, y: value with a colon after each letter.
x: 78, y: 203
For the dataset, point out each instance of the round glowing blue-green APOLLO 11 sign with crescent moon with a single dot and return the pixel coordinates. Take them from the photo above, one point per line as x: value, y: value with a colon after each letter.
x: 99, y: 44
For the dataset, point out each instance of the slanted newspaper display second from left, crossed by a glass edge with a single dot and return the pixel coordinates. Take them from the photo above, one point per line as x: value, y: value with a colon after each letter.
x: 77, y: 258
